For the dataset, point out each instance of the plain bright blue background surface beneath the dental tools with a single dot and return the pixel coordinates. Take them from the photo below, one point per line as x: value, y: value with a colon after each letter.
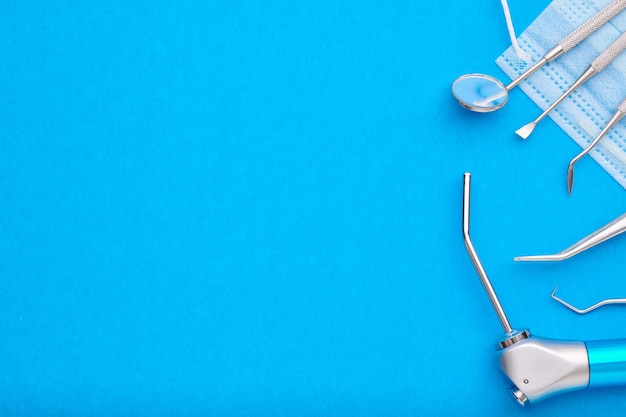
x: 254, y: 208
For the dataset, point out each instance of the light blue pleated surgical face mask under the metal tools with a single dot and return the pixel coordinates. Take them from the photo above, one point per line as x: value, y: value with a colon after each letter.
x: 586, y: 111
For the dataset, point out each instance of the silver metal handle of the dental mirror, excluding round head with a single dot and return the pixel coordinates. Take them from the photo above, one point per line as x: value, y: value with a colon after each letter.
x: 573, y: 39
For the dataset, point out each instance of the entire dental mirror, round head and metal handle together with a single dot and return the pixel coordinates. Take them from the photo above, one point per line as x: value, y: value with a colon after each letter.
x: 483, y: 93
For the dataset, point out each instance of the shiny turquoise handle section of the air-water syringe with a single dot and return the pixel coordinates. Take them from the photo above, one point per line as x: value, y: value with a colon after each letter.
x: 607, y: 362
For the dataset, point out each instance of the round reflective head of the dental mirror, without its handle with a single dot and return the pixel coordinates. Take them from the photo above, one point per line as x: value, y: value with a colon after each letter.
x: 480, y: 93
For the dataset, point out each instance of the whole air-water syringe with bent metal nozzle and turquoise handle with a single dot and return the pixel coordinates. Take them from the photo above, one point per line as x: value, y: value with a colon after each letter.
x: 539, y: 368
